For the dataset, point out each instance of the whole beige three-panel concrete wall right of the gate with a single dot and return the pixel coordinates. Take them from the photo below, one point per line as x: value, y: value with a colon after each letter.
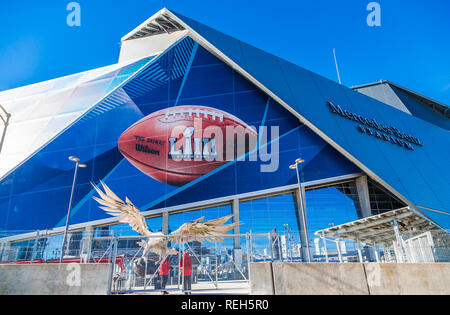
x: 349, y: 279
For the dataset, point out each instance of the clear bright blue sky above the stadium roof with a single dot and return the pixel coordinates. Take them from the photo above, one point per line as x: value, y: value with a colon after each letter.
x: 411, y: 48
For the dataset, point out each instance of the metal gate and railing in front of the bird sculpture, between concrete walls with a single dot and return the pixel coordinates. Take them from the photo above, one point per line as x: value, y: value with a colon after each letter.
x: 213, y: 262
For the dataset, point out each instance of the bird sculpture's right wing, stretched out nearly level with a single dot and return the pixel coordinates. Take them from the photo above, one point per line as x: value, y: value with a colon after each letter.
x: 200, y: 231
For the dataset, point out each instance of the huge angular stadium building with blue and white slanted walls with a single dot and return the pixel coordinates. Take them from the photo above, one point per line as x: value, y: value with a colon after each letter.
x: 376, y: 157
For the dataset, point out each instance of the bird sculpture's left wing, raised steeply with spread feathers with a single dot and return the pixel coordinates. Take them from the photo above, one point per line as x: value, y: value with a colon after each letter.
x: 127, y: 211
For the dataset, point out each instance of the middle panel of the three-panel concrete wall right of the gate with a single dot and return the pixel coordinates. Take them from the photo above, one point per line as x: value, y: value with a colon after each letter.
x: 319, y: 279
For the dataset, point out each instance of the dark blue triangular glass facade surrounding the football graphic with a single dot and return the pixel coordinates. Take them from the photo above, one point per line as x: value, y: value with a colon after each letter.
x: 35, y: 195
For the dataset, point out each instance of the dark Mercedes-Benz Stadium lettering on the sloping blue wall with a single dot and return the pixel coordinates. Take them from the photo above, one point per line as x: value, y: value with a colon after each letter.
x: 375, y: 129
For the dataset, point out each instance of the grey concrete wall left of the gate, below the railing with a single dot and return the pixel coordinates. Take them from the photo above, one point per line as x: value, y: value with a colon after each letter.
x: 54, y: 279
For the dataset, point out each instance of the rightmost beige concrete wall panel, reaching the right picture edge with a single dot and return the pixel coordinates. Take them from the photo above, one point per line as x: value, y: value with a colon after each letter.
x: 408, y: 279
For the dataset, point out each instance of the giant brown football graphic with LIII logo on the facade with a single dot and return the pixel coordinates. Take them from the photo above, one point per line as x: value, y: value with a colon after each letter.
x: 181, y: 144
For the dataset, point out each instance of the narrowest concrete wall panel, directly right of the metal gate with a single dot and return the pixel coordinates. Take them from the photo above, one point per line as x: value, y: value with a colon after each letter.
x: 261, y: 279
